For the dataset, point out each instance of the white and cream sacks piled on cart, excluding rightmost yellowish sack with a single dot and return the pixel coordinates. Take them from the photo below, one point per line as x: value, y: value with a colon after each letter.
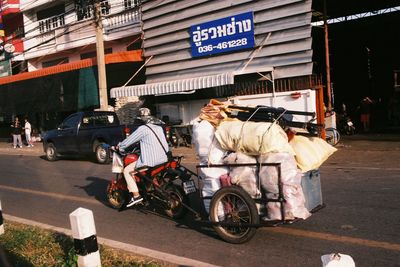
x: 250, y: 142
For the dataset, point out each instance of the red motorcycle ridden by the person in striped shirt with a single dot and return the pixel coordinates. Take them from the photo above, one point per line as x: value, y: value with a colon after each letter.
x: 165, y: 185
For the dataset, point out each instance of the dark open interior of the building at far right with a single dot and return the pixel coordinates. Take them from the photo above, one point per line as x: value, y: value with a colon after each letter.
x: 363, y: 55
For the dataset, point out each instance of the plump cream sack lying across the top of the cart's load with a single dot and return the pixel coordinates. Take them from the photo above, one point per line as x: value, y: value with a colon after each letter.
x: 252, y: 138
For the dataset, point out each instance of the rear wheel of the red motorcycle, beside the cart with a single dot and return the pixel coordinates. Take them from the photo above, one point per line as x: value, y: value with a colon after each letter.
x: 176, y: 197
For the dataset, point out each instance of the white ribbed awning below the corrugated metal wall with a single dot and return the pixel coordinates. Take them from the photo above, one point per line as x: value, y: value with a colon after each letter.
x: 175, y: 86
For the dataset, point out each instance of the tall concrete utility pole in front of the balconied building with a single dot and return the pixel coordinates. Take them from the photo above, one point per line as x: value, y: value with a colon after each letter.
x: 101, y: 65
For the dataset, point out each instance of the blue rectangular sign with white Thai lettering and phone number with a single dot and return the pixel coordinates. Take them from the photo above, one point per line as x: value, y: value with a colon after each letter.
x: 222, y: 35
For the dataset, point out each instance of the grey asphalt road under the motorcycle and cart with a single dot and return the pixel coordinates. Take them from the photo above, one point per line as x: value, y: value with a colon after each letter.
x: 360, y: 185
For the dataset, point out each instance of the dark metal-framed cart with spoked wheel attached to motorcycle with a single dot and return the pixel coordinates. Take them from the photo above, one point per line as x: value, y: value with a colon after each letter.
x: 235, y: 215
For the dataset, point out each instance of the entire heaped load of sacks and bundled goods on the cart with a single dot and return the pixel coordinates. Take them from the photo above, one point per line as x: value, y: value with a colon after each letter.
x: 220, y: 137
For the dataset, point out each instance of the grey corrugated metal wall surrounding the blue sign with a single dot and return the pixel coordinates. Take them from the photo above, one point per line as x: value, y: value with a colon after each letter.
x: 166, y: 26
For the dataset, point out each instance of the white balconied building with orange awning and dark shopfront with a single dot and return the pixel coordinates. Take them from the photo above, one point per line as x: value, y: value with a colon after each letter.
x: 53, y: 67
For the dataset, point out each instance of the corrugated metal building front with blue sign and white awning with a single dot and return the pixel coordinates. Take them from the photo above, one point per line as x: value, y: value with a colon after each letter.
x: 197, y: 50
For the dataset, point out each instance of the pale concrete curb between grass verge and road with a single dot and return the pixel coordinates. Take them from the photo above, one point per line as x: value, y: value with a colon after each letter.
x: 145, y: 252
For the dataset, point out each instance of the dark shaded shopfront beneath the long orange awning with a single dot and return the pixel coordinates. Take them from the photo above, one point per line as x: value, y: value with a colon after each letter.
x: 47, y: 100
